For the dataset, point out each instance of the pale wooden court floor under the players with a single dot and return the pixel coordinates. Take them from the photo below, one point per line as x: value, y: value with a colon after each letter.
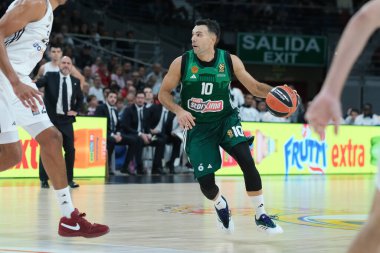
x: 169, y: 215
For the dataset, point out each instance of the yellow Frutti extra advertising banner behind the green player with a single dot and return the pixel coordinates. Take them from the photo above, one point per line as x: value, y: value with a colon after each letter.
x: 281, y: 148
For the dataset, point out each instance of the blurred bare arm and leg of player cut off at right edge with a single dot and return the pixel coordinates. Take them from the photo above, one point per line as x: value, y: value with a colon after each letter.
x: 326, y: 105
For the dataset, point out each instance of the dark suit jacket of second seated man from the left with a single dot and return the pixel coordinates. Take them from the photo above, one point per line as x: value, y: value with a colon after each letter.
x: 129, y: 120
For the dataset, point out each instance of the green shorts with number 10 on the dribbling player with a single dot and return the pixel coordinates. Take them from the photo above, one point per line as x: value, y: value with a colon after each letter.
x: 203, y: 141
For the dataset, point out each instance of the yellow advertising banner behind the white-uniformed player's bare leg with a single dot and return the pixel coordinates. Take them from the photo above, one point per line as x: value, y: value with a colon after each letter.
x: 90, y: 142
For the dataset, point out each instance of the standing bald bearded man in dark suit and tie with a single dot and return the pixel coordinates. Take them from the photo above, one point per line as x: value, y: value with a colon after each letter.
x: 63, y: 98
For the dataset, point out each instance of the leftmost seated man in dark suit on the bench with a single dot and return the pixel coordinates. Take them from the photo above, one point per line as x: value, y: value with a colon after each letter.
x: 115, y: 136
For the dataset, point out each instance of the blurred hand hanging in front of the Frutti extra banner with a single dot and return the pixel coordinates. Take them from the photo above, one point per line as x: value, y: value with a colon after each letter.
x: 322, y: 110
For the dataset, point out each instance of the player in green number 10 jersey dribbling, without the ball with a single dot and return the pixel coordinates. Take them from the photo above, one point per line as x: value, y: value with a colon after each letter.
x: 210, y: 121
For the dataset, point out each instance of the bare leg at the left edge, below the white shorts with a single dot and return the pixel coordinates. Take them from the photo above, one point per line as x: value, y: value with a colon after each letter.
x: 10, y: 155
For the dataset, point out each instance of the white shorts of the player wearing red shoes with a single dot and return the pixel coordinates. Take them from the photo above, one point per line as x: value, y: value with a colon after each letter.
x: 14, y: 113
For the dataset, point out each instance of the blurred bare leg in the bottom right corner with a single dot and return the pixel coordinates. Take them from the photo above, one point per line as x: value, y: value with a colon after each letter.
x: 368, y: 238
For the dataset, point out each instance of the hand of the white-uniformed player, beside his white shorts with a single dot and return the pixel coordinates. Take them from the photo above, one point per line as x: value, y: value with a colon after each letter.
x: 28, y: 95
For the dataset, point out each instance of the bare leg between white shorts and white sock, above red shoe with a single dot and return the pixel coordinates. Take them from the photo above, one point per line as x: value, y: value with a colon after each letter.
x: 50, y: 141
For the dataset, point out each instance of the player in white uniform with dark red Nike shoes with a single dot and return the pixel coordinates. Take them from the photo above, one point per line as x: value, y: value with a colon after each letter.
x: 24, y: 35
